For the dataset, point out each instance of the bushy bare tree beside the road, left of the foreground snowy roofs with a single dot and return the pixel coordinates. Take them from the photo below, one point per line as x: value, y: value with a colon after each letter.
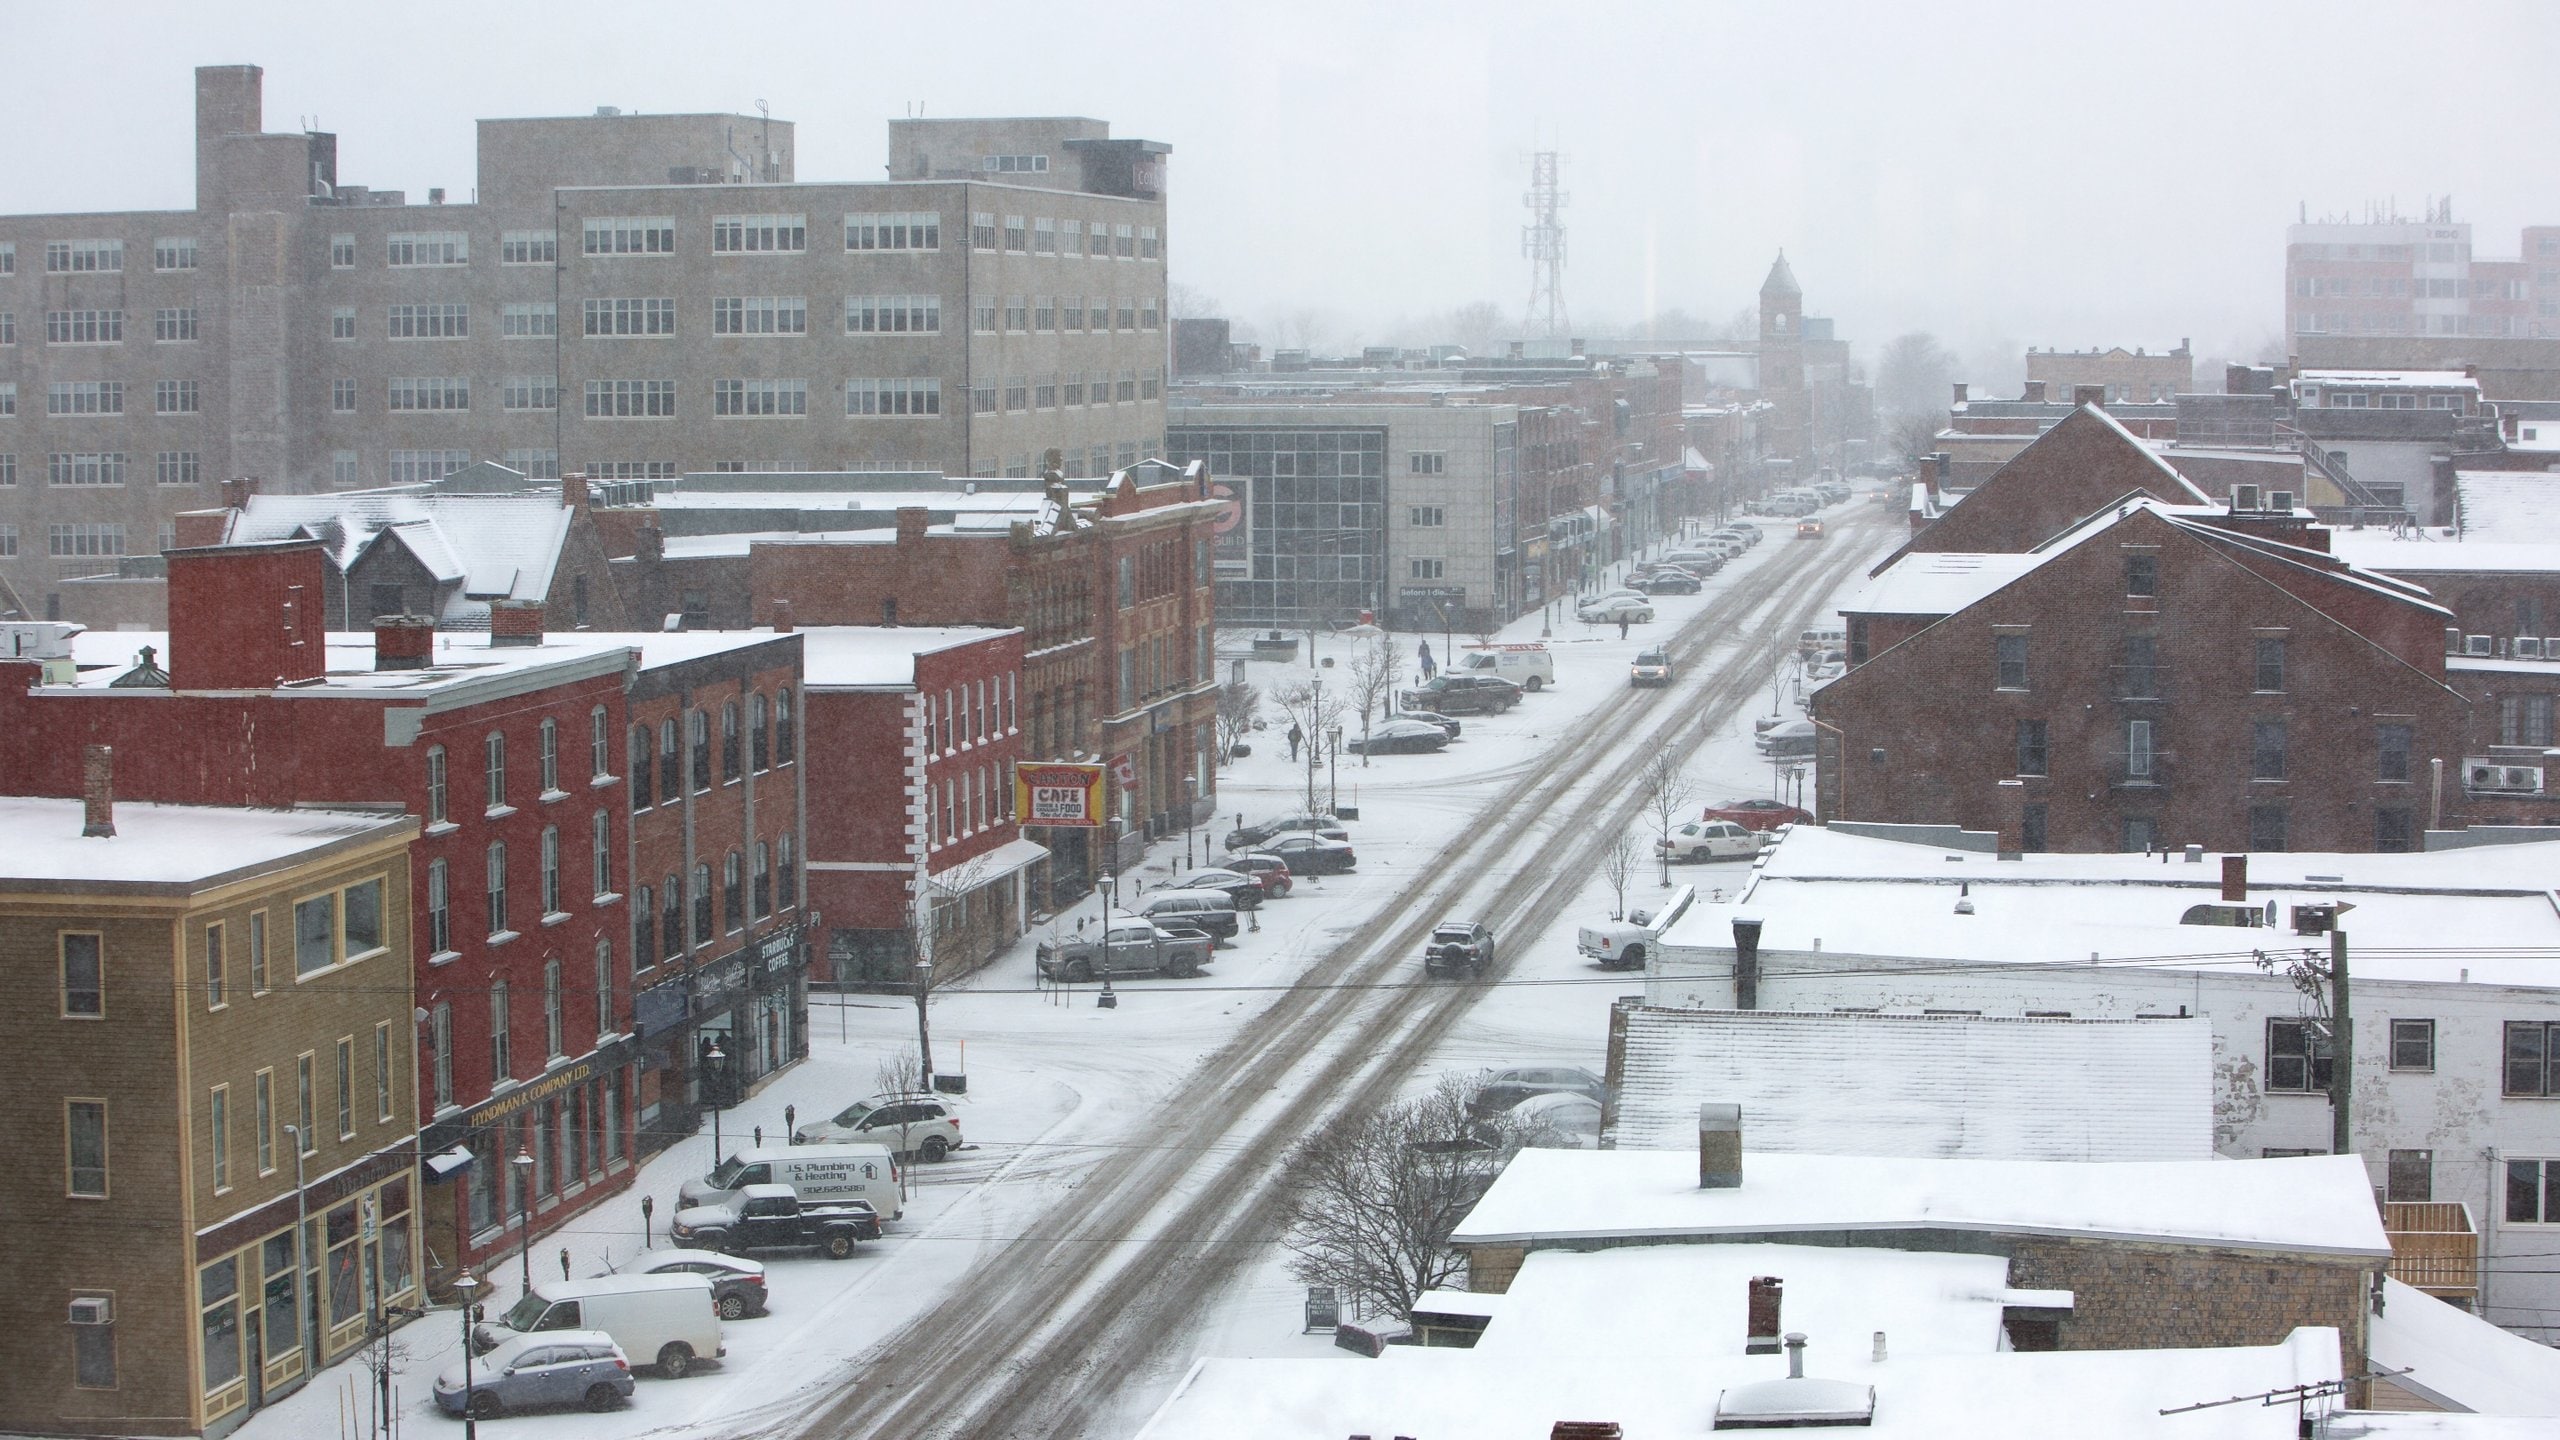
x: 1381, y: 1193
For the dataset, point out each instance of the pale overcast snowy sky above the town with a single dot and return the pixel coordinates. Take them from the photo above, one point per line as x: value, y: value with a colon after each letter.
x: 2001, y: 176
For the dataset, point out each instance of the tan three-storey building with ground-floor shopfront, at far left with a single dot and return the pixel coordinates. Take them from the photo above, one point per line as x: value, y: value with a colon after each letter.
x: 214, y: 1044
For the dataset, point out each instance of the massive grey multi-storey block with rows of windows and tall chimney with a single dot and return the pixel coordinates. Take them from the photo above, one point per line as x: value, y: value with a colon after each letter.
x: 628, y: 296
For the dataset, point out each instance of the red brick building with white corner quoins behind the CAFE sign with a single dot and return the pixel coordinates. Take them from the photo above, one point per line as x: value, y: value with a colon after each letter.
x: 928, y: 721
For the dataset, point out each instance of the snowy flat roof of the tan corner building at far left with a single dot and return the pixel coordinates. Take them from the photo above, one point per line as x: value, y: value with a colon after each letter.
x: 168, y: 844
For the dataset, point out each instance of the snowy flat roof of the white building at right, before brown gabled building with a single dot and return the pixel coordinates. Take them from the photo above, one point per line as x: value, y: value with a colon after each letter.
x: 1839, y: 893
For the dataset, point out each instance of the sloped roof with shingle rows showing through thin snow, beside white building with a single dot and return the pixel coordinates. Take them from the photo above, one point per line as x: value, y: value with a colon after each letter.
x: 1921, y: 1085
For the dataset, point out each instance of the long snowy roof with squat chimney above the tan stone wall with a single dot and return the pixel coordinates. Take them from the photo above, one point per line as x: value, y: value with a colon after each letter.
x: 2316, y: 1203
